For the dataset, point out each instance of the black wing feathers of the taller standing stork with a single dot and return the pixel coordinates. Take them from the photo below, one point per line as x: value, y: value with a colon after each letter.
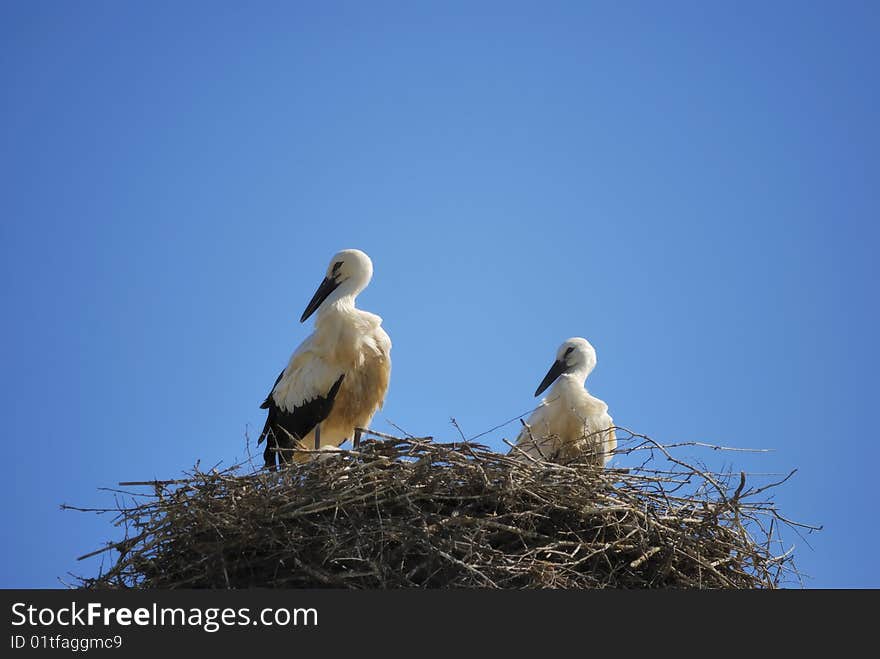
x: 299, y: 422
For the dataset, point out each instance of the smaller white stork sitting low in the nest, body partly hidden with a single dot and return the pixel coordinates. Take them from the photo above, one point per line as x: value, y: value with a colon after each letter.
x: 570, y: 424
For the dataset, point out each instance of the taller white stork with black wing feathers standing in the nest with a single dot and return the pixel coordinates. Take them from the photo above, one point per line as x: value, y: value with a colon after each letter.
x: 336, y: 379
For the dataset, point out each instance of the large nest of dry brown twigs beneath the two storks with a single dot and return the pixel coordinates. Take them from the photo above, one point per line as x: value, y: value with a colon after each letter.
x: 413, y: 513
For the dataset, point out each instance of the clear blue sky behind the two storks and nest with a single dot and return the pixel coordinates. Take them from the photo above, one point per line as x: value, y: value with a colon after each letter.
x: 691, y: 186
